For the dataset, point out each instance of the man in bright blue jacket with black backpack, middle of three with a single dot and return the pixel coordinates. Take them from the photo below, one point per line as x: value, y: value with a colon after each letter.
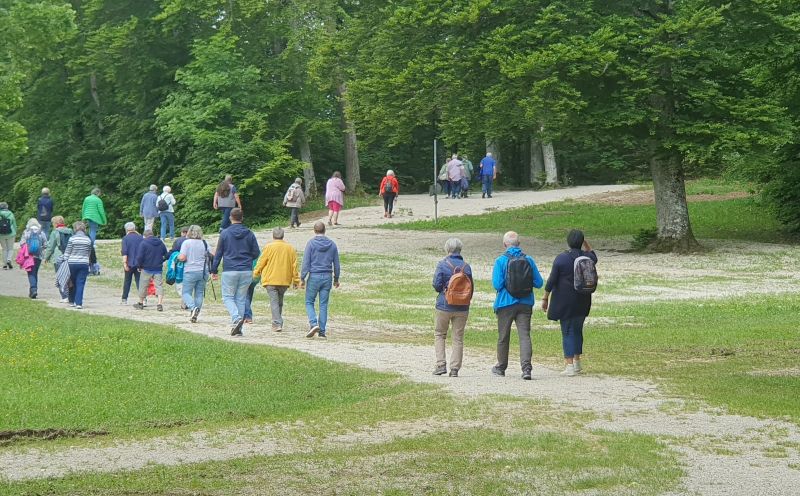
x: 514, y: 276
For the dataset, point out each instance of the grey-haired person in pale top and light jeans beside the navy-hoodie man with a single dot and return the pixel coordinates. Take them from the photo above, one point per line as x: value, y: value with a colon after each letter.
x: 194, y: 252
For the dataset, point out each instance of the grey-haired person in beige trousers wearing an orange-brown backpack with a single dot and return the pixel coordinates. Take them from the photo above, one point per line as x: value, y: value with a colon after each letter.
x: 446, y: 314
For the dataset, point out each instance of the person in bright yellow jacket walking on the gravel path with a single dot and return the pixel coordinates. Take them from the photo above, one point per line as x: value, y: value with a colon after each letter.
x: 277, y: 268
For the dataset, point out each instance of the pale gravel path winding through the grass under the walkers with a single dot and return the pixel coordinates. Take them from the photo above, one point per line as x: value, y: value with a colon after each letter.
x: 723, y: 454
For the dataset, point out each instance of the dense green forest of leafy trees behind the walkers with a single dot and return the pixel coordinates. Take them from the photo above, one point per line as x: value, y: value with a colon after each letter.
x: 120, y: 94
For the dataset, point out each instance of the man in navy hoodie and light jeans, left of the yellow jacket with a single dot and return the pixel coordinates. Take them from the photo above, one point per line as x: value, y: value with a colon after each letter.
x: 237, y: 248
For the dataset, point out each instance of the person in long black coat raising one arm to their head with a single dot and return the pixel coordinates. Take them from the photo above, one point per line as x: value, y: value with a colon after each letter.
x: 569, y: 307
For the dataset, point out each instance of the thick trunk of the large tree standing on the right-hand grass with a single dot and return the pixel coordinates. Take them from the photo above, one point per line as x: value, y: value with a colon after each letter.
x: 672, y: 212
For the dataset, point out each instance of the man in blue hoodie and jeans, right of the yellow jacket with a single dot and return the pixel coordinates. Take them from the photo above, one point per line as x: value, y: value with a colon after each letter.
x: 320, y: 259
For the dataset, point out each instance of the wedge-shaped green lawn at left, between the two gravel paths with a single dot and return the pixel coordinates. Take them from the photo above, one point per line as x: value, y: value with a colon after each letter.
x: 64, y: 370
